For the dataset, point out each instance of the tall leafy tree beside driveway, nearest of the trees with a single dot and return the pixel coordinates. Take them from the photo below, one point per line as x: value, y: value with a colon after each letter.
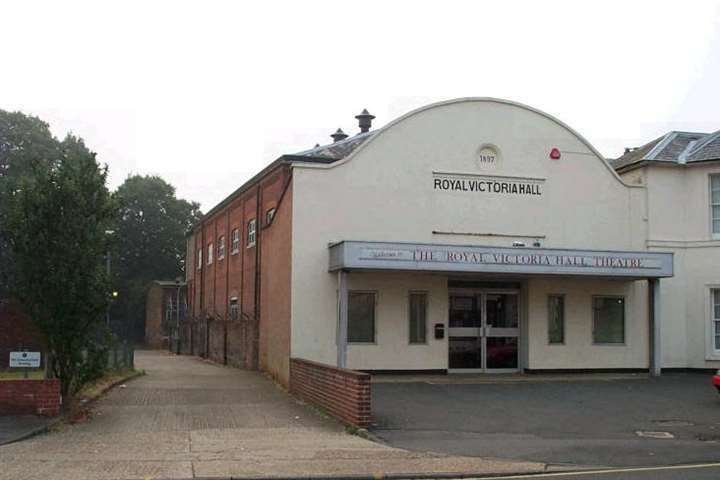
x: 57, y: 216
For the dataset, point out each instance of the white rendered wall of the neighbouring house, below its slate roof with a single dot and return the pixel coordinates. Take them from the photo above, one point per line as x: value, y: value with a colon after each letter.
x: 679, y: 222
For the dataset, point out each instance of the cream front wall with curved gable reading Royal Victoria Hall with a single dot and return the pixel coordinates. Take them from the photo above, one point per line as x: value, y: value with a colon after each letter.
x: 384, y: 192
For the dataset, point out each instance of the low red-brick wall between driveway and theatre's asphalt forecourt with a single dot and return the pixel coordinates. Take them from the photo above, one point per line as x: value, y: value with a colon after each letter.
x: 343, y: 393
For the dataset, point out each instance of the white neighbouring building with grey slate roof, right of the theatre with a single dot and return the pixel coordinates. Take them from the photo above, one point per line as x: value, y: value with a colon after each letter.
x: 680, y: 176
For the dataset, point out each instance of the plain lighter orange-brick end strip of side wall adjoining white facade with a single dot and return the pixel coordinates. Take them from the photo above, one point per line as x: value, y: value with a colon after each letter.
x: 275, y: 291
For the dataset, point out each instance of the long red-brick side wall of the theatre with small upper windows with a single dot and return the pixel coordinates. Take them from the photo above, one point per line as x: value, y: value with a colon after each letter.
x: 212, y: 286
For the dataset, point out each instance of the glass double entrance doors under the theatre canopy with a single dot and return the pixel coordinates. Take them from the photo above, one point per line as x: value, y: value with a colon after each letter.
x: 484, y: 330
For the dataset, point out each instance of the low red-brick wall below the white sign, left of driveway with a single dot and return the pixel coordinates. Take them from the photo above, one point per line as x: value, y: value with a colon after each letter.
x: 35, y: 397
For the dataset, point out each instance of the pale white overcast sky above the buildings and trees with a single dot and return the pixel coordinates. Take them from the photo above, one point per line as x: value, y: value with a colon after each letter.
x: 206, y: 93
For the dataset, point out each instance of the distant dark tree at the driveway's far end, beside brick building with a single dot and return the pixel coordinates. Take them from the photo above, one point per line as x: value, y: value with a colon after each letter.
x: 149, y: 244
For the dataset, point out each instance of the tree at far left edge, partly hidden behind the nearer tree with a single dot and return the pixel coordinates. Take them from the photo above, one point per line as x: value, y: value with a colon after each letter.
x: 23, y: 139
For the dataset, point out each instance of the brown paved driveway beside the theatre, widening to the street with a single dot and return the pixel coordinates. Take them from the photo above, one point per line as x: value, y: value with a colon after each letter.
x: 191, y: 419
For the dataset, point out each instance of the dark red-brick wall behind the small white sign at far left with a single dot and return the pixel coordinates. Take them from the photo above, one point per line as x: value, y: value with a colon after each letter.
x: 17, y: 333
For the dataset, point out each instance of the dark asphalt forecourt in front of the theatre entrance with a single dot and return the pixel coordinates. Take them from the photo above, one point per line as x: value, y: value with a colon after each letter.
x: 619, y: 421
